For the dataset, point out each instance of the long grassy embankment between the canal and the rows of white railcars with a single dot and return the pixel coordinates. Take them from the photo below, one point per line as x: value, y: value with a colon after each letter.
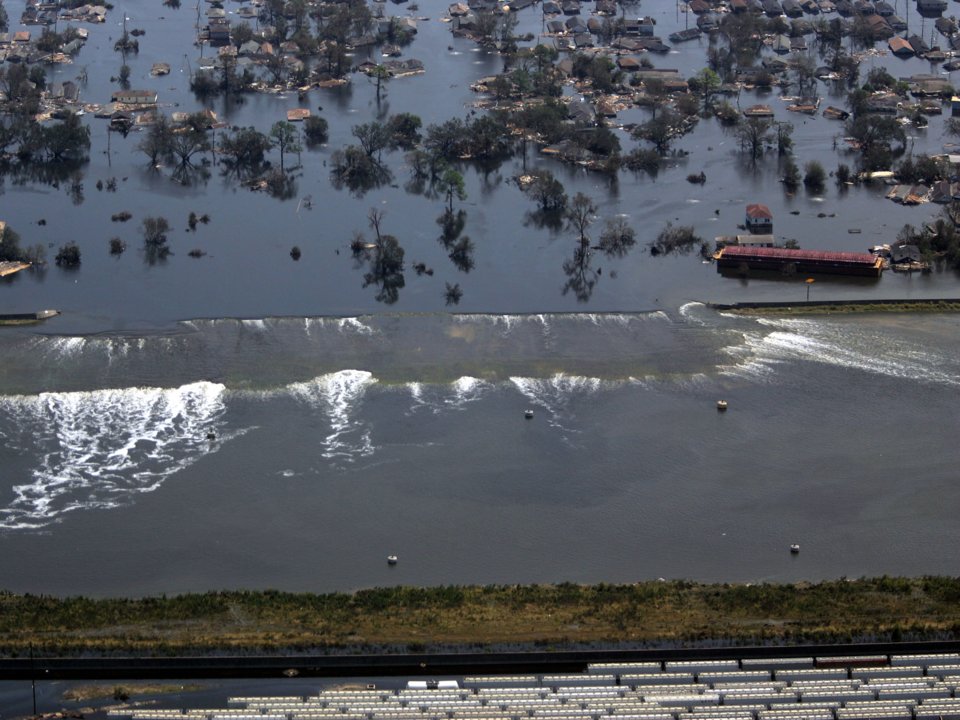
x: 417, y: 619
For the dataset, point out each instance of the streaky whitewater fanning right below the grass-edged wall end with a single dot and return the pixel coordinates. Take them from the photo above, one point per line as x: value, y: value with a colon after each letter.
x: 837, y: 344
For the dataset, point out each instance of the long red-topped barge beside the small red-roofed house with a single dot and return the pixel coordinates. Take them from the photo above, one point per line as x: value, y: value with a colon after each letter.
x: 787, y: 260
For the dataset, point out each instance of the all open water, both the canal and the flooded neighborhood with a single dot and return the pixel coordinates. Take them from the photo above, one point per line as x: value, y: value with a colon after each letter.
x: 244, y: 420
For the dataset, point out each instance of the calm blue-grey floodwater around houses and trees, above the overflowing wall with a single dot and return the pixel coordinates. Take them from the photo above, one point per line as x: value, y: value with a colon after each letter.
x: 247, y: 271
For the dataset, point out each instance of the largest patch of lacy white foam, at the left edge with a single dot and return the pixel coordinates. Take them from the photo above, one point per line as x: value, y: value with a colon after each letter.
x: 98, y: 448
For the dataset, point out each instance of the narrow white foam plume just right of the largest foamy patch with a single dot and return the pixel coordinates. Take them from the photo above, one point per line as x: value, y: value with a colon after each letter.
x: 338, y: 394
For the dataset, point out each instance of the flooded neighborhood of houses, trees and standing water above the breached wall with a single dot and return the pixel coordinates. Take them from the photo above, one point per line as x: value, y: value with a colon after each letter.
x: 478, y: 156
